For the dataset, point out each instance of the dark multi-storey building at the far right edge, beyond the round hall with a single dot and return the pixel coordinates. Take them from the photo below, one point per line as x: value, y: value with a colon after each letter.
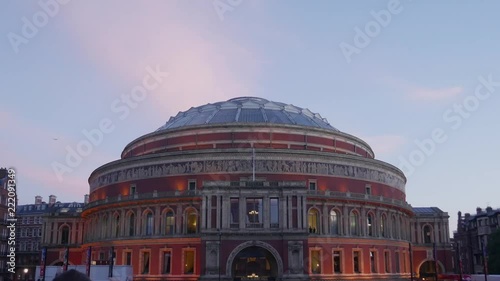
x: 471, y: 238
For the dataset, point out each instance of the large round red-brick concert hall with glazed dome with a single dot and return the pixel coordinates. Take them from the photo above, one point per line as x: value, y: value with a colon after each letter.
x: 250, y: 189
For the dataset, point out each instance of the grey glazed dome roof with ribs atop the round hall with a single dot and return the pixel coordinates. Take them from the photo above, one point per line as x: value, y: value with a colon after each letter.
x: 247, y: 110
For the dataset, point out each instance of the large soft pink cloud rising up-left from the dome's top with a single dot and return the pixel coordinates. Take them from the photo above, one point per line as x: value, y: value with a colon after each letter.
x: 202, y: 63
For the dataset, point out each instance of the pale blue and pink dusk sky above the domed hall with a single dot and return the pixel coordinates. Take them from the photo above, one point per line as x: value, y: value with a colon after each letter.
x: 428, y: 57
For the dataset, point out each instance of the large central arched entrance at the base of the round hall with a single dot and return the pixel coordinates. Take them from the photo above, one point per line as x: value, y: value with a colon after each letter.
x: 254, y: 263
